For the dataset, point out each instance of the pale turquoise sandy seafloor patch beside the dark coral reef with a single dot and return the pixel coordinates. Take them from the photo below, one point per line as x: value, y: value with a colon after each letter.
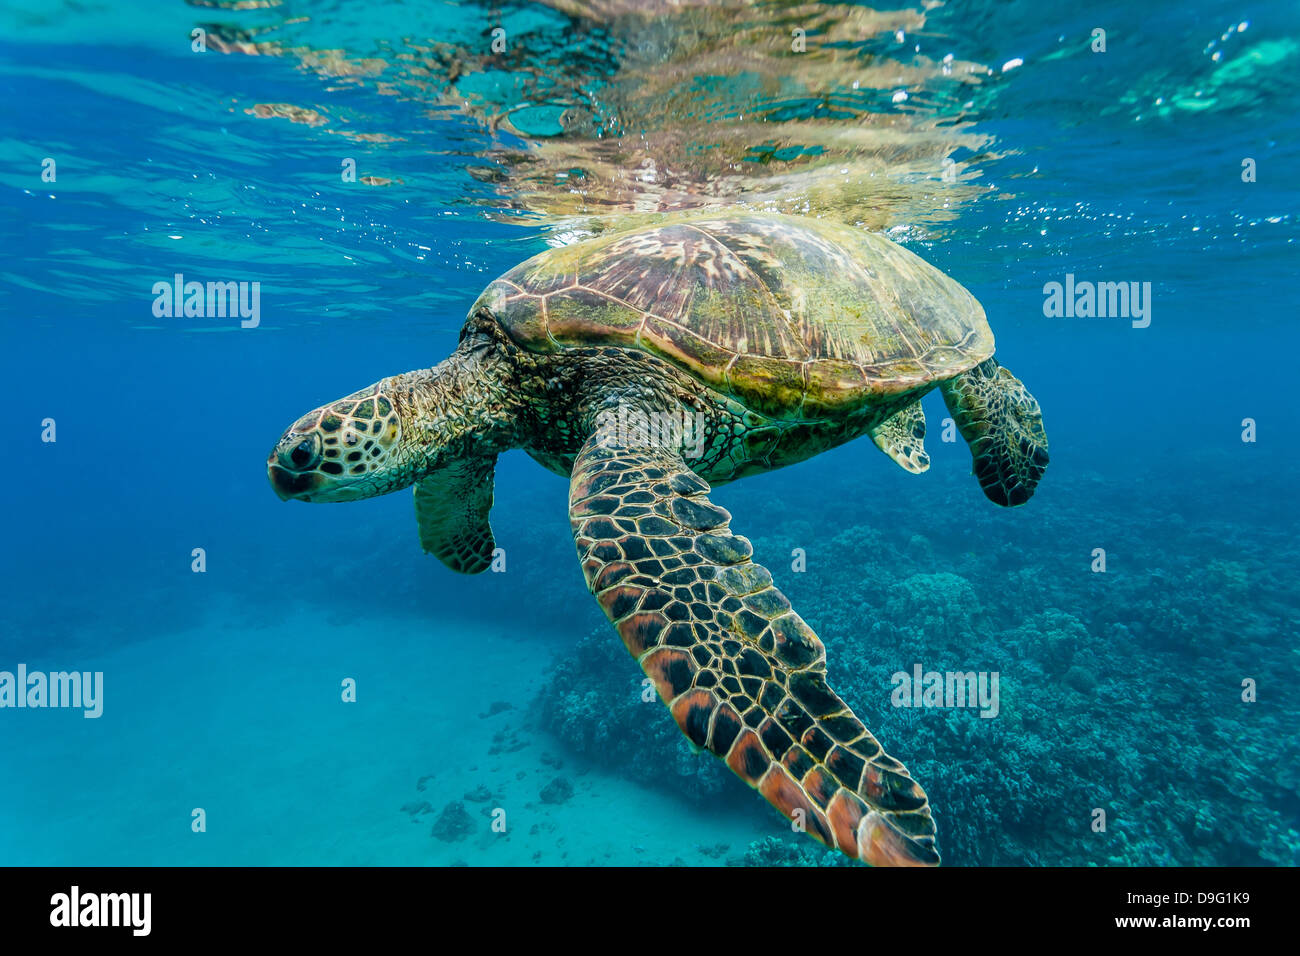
x: 319, y: 784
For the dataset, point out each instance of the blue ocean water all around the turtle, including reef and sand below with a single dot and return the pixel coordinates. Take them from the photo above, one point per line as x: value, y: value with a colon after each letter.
x: 999, y: 141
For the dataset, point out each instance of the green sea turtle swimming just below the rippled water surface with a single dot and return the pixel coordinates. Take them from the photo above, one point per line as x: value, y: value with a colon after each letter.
x: 648, y: 365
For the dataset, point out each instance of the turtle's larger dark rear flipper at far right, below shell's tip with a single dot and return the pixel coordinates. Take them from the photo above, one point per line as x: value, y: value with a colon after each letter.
x: 1003, y: 425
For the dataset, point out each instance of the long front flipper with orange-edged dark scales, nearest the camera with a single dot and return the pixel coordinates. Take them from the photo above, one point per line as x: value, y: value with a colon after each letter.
x: 742, y: 673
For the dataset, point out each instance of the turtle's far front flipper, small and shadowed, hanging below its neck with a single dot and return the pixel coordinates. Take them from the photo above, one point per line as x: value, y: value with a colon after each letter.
x: 452, y: 509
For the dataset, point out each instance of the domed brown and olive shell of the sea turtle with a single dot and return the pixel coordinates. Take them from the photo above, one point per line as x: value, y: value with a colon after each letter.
x: 795, y: 318
